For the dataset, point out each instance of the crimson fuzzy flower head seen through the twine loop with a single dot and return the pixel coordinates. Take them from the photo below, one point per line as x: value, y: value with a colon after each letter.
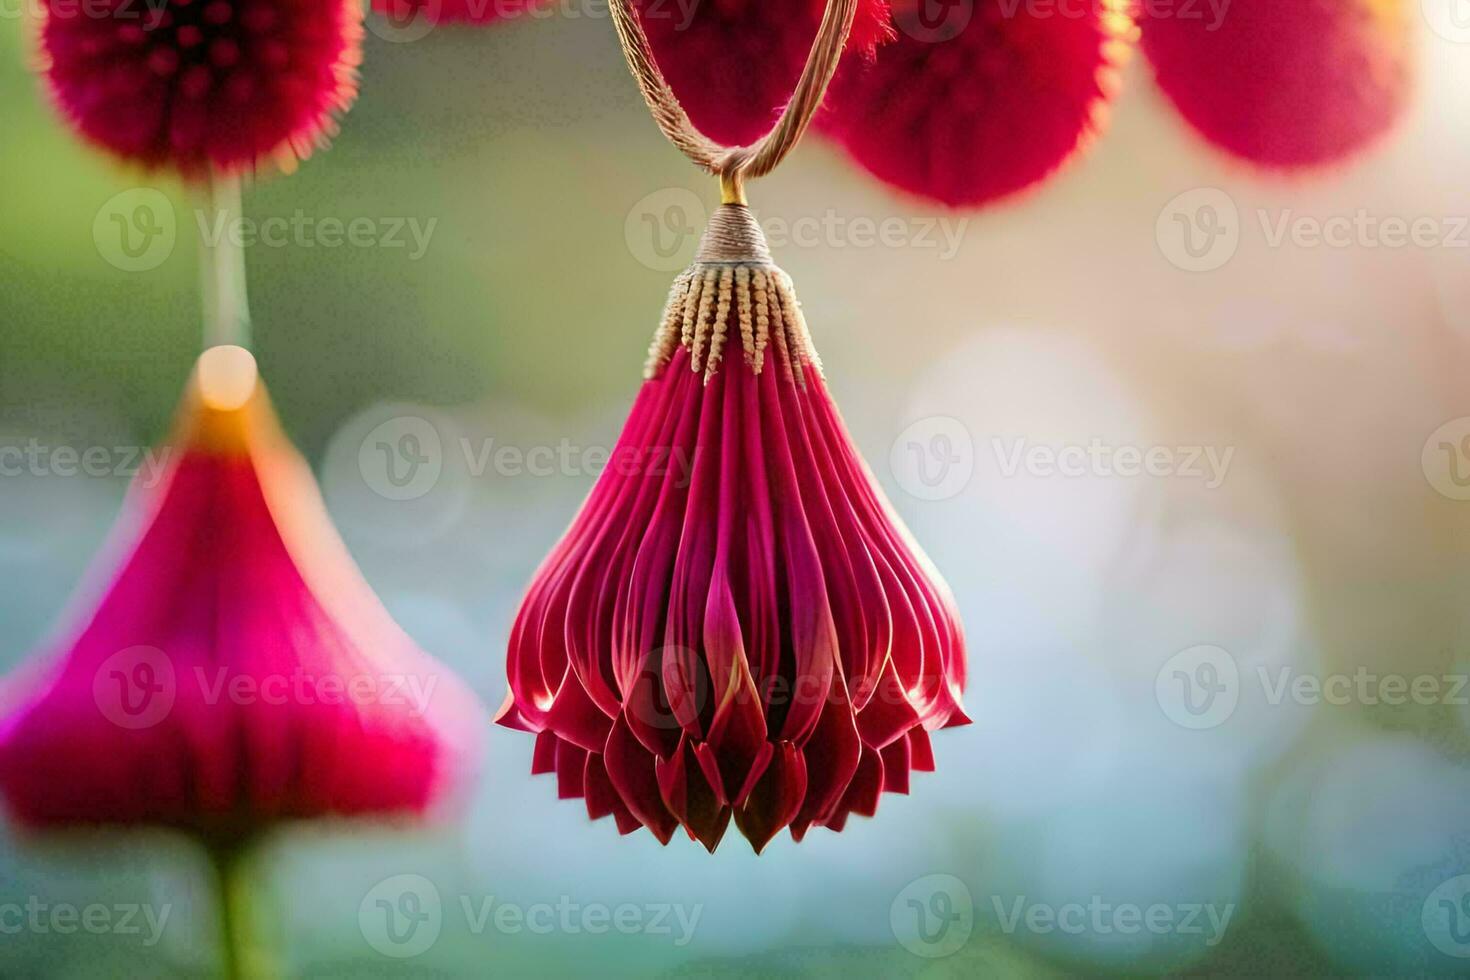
x: 734, y: 62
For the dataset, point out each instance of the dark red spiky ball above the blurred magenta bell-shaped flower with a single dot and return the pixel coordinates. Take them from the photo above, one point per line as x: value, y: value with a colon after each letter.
x: 199, y: 86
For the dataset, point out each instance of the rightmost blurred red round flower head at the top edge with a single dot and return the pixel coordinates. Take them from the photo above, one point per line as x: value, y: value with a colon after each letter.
x: 1284, y: 83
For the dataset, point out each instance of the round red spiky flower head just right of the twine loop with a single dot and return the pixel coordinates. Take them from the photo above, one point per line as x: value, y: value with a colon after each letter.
x: 975, y: 102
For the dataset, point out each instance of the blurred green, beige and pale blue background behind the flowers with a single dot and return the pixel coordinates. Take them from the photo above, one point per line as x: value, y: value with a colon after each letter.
x: 1334, y: 834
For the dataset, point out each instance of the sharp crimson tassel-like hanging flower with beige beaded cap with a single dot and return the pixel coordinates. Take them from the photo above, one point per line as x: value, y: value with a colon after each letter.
x: 737, y: 625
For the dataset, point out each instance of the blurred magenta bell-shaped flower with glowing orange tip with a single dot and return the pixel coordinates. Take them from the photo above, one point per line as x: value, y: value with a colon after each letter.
x: 236, y: 671
